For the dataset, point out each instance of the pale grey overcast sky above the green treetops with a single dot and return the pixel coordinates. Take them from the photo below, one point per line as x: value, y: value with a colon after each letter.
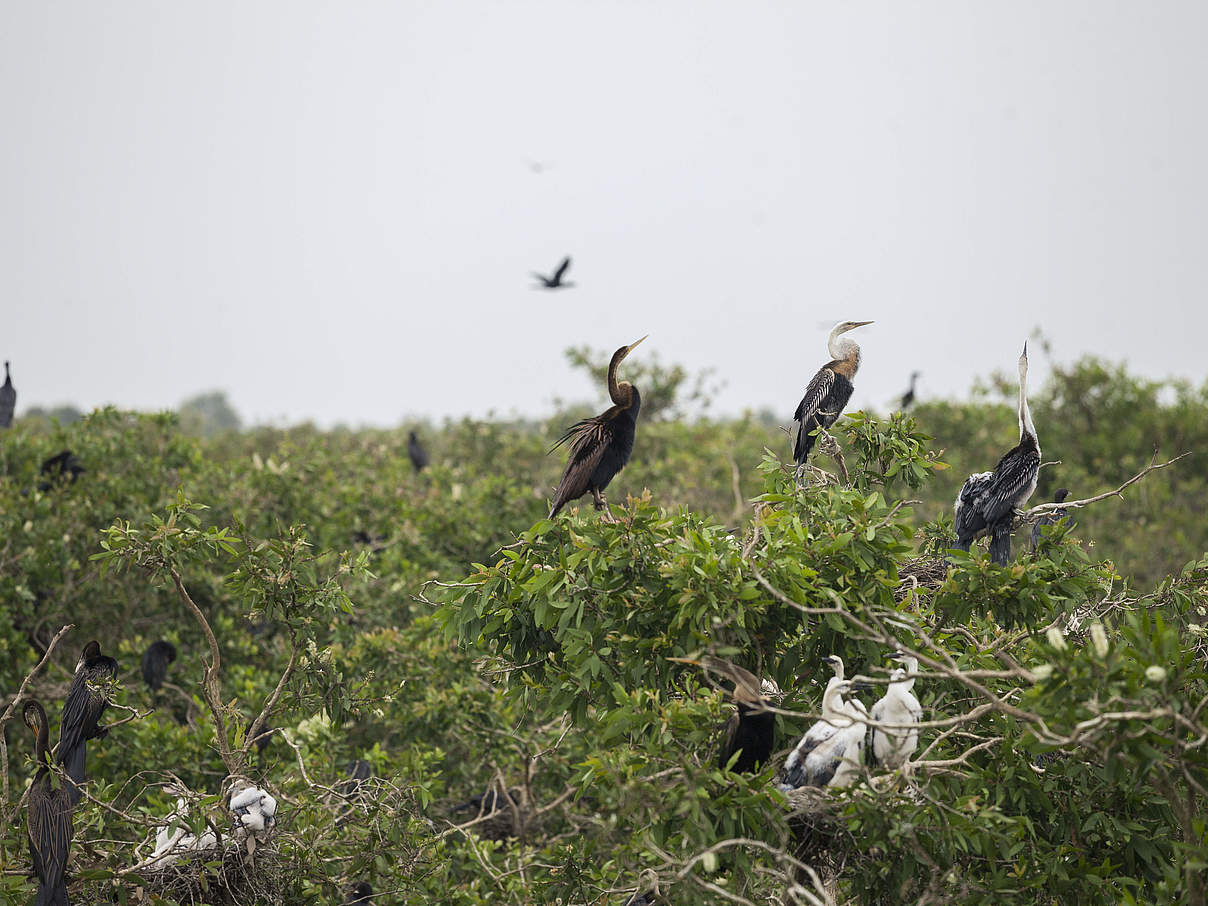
x: 330, y: 211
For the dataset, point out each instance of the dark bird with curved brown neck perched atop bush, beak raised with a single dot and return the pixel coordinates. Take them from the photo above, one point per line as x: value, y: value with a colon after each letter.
x: 601, y: 446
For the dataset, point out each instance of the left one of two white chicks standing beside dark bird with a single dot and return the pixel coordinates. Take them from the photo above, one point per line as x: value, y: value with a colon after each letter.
x: 832, y: 751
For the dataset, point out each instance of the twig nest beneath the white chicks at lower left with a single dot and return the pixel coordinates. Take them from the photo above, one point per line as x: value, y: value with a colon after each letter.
x: 228, y: 878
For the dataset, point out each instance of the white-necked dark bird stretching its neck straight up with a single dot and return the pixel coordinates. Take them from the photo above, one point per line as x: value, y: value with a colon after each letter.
x: 988, y: 502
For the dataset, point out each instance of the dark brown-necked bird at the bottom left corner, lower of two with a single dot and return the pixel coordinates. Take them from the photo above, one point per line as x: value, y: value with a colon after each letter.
x: 49, y: 815
